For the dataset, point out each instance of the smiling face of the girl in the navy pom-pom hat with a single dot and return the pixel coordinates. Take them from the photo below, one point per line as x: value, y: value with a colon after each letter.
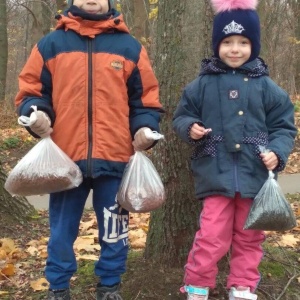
x: 235, y: 50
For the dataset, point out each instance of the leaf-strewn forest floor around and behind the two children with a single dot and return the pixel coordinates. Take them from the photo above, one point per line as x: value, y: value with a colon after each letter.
x: 23, y: 251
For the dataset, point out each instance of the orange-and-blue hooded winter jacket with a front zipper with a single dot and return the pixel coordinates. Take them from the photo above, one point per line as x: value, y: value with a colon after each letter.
x: 96, y: 83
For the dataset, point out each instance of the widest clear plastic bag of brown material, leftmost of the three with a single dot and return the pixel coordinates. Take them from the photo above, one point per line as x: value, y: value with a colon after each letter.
x: 44, y: 169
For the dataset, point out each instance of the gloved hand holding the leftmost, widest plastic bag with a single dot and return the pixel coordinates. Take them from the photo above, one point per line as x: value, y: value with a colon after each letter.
x: 40, y: 123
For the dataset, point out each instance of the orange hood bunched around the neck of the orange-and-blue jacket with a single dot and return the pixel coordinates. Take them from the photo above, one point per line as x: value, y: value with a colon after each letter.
x: 86, y: 27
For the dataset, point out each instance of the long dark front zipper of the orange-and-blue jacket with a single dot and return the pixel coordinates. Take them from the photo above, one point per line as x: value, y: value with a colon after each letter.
x: 90, y: 108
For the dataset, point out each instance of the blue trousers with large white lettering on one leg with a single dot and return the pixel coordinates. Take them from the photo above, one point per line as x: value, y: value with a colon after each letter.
x: 65, y: 211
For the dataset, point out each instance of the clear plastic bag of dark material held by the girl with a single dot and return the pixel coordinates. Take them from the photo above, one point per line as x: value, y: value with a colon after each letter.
x: 270, y: 209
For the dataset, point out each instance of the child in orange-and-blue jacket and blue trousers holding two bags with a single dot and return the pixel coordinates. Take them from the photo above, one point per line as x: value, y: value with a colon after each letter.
x: 95, y: 92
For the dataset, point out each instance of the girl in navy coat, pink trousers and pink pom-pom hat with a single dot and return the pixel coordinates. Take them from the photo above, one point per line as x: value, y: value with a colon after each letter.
x: 230, y: 110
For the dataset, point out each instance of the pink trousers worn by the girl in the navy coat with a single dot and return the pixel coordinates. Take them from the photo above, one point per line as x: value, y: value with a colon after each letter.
x: 221, y: 229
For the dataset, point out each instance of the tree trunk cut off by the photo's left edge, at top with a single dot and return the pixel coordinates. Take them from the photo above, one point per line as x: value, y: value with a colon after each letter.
x: 4, y: 49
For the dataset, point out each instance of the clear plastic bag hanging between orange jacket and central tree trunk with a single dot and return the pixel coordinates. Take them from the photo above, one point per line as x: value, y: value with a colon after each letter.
x: 141, y: 188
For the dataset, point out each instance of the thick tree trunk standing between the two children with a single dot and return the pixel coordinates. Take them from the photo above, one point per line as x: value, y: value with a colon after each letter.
x: 183, y: 36
